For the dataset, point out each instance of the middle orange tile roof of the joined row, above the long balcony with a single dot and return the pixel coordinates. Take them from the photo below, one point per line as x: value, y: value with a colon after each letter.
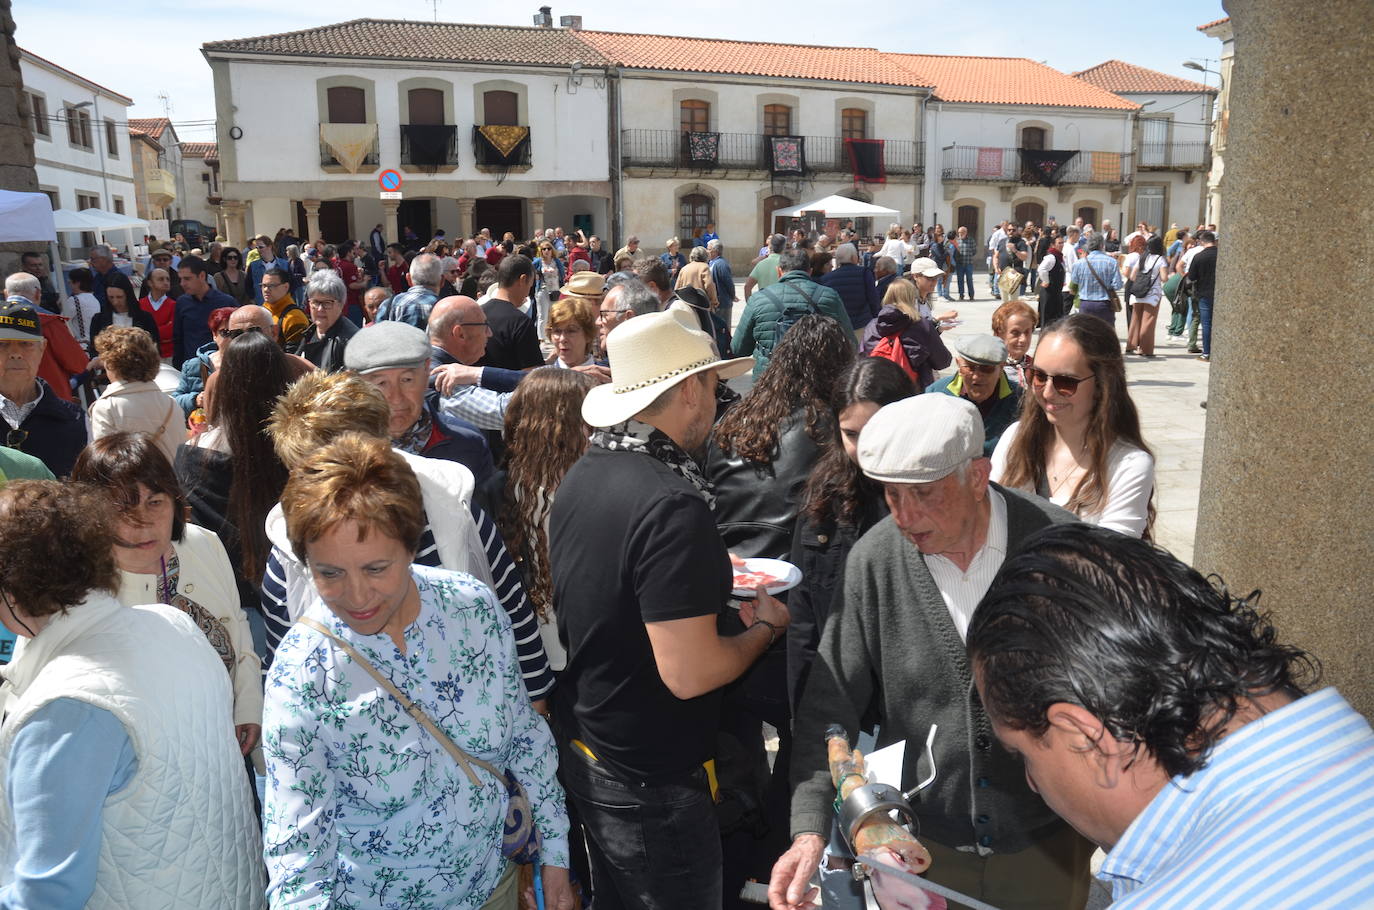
x: 751, y: 58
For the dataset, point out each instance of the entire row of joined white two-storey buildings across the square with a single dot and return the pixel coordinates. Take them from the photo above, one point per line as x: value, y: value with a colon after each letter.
x: 659, y: 135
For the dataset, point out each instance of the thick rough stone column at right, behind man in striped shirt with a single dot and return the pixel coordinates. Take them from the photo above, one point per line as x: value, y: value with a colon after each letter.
x: 1287, y: 500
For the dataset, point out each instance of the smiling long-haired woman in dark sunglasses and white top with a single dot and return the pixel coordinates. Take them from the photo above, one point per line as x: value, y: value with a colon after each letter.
x: 1078, y: 442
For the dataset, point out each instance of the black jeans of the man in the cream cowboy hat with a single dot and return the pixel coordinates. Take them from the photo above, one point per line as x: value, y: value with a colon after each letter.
x: 653, y: 847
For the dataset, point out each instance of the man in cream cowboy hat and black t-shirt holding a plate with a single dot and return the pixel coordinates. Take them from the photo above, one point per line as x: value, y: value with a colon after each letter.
x: 640, y: 578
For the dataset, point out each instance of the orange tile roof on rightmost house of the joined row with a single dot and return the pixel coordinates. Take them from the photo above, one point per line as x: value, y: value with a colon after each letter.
x: 1005, y: 80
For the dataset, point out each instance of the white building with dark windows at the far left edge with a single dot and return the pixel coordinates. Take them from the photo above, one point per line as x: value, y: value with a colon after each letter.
x: 83, y: 153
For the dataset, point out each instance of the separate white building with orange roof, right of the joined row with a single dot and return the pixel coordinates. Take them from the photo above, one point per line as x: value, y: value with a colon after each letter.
x: 1173, y: 146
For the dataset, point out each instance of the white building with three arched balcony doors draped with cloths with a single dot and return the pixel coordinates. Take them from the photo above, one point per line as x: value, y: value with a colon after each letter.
x: 490, y: 127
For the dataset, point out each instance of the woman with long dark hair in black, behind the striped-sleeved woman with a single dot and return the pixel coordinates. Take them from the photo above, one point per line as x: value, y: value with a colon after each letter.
x: 232, y: 475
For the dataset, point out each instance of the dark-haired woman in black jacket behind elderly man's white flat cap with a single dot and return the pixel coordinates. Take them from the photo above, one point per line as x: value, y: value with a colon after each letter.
x: 839, y: 507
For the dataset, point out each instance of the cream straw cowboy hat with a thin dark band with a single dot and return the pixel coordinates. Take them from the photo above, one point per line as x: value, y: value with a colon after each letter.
x: 651, y: 355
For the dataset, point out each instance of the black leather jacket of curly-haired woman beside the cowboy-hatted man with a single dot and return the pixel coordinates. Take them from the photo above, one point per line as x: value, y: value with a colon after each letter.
x: 756, y: 505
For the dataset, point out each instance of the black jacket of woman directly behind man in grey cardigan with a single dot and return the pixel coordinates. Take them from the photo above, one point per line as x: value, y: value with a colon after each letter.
x: 821, y: 551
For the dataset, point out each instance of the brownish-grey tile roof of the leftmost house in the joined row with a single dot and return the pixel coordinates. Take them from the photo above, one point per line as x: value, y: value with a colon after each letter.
x: 394, y: 39
